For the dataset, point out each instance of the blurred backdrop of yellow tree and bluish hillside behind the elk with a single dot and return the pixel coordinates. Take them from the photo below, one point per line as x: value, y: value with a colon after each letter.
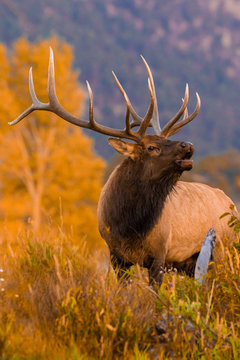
x: 50, y: 170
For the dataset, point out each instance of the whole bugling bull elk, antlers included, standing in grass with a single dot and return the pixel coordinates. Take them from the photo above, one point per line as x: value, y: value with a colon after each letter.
x: 145, y: 215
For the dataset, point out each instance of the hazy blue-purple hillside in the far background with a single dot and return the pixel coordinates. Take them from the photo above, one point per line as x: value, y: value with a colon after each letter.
x: 183, y: 41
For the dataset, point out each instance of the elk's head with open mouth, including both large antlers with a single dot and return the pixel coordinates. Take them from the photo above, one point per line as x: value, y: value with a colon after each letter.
x: 157, y: 151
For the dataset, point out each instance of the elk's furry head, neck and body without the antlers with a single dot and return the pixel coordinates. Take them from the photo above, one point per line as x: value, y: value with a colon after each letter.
x: 149, y: 218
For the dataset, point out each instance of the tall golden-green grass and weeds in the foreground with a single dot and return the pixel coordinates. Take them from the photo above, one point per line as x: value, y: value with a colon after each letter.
x: 58, y: 300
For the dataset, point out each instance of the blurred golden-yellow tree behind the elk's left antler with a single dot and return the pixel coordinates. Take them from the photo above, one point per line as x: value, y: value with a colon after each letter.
x: 50, y: 173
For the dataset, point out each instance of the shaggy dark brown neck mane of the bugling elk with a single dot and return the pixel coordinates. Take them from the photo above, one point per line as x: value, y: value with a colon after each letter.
x: 134, y: 201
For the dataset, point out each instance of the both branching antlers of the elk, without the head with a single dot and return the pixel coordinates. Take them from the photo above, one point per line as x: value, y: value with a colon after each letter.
x: 54, y: 106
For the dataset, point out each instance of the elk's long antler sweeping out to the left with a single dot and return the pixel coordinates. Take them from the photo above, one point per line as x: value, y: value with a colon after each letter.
x: 55, y: 107
